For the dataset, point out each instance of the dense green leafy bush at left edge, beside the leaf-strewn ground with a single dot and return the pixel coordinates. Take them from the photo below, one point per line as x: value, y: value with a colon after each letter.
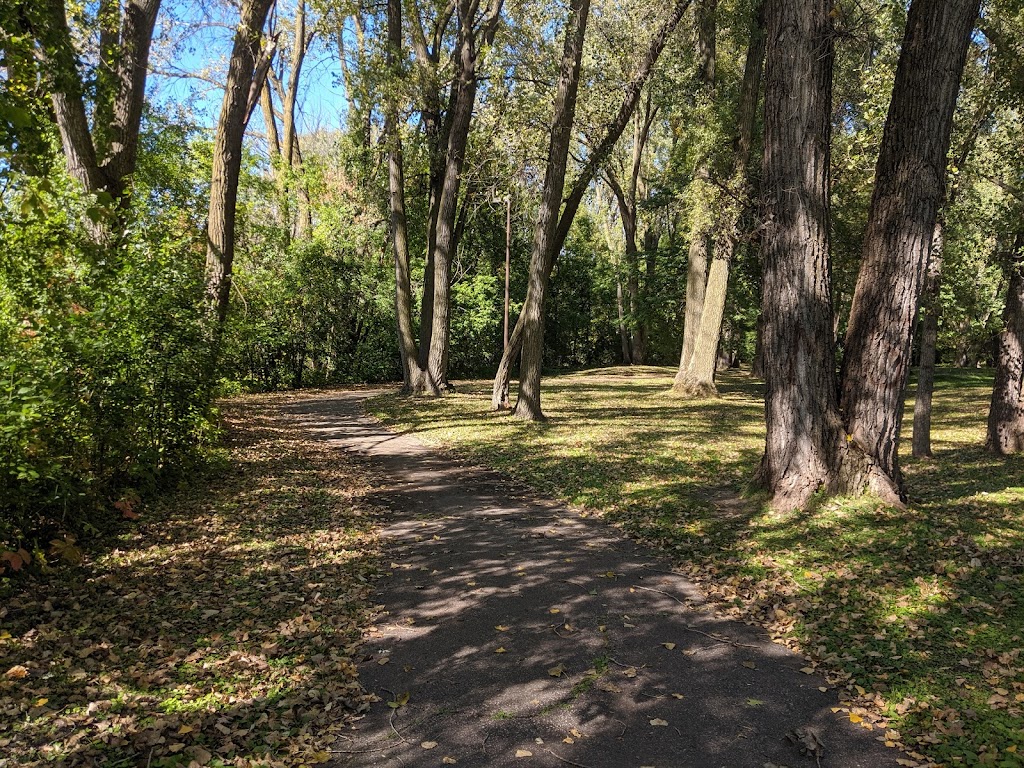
x: 103, y: 365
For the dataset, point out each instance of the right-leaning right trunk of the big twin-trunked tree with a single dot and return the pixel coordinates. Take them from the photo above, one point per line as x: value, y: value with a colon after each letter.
x: 910, y: 187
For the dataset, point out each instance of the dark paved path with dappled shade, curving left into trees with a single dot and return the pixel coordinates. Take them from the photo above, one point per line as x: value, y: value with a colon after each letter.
x: 519, y: 633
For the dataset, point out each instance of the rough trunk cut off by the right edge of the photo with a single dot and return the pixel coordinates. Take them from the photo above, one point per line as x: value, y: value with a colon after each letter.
x: 1006, y: 416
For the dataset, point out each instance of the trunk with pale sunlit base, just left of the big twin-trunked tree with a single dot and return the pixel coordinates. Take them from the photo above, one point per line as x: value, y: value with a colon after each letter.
x: 697, y: 377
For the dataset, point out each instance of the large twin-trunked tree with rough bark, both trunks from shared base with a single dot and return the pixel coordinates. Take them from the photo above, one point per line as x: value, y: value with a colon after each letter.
x: 815, y: 444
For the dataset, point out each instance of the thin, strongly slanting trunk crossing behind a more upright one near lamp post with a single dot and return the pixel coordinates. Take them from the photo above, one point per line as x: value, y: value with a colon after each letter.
x: 572, y: 205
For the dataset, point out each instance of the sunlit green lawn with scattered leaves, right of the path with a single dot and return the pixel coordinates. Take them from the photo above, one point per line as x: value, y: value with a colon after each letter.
x: 917, y: 617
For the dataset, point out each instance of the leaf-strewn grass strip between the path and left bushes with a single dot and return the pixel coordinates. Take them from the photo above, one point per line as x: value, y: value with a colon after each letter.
x: 219, y: 631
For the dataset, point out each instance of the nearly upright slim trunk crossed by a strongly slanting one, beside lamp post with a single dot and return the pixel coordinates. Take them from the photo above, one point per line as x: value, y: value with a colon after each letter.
x: 542, y: 255
